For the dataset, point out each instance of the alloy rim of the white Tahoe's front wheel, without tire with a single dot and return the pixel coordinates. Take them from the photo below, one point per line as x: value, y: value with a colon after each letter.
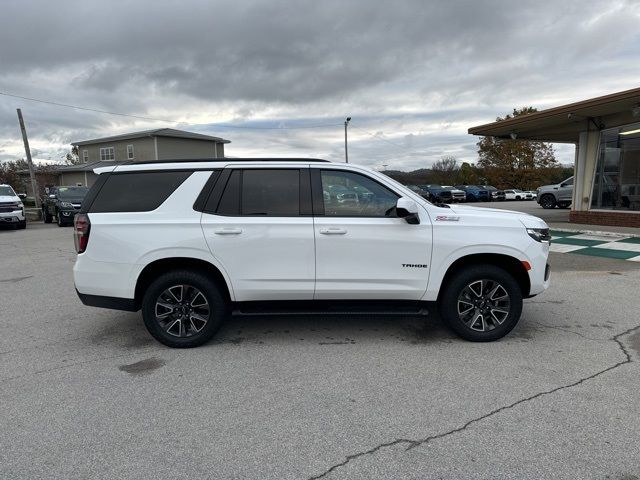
x: 483, y: 305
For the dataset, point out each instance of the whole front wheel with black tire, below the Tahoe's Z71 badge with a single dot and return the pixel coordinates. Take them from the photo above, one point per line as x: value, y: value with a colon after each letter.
x: 495, y: 325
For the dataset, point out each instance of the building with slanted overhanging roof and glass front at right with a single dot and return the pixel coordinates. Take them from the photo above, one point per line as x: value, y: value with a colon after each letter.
x: 606, y: 133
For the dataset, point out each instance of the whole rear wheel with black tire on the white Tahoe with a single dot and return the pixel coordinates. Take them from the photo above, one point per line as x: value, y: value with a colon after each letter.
x: 183, y: 309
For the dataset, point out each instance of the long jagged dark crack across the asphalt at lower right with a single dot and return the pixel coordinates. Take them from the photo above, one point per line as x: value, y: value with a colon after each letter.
x: 416, y: 443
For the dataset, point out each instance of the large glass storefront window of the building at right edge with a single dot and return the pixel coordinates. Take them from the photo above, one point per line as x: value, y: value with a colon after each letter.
x: 616, y: 185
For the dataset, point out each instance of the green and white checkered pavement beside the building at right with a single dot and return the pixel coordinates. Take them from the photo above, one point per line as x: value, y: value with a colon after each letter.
x: 595, y: 245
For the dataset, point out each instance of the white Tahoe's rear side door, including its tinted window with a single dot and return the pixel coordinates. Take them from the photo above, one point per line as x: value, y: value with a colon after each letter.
x: 258, y: 225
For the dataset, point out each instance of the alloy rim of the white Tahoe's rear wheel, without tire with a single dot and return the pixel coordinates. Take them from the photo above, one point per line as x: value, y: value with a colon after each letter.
x: 182, y: 310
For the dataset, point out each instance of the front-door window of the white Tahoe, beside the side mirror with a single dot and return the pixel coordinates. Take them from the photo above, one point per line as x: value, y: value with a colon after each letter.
x: 348, y: 194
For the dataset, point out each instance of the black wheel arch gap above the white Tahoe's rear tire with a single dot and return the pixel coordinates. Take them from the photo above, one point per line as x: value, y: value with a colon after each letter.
x: 151, y: 271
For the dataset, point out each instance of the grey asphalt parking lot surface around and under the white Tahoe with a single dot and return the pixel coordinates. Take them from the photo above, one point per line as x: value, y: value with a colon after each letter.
x: 86, y: 393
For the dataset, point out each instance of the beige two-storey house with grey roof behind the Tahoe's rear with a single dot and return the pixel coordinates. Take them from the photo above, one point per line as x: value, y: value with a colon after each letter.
x: 146, y: 146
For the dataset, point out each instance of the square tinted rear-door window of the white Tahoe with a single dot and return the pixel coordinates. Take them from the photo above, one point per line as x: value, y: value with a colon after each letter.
x: 274, y: 192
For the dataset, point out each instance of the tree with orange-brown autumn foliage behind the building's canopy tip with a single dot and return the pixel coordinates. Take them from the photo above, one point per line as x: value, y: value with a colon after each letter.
x: 513, y: 163
